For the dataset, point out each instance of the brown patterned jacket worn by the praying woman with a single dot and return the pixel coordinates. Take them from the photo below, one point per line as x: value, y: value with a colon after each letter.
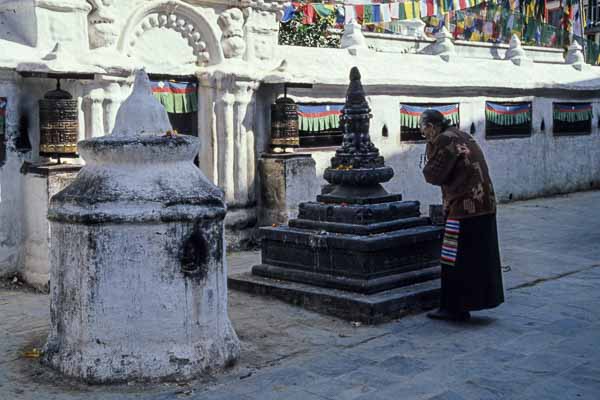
x: 456, y: 163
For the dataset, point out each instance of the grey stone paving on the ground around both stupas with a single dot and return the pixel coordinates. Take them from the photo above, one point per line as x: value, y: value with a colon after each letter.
x: 543, y: 343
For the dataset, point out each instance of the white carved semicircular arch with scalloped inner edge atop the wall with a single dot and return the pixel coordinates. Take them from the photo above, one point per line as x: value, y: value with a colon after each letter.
x: 189, y: 22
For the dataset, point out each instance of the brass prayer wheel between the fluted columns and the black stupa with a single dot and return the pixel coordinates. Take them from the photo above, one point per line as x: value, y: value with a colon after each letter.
x: 284, y: 123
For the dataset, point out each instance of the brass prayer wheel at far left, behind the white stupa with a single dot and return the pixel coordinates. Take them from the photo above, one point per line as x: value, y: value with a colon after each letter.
x: 59, y: 124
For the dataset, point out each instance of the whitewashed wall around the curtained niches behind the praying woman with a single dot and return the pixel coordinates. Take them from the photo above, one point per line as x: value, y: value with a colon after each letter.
x: 539, y: 165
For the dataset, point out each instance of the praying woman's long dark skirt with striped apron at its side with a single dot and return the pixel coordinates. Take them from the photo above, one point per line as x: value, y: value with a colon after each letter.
x: 471, y: 272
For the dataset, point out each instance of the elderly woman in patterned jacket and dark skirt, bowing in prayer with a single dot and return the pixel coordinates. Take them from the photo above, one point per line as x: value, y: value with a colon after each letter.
x: 471, y: 275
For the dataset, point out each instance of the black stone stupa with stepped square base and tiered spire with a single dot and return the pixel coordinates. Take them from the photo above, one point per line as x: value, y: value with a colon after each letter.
x: 358, y: 252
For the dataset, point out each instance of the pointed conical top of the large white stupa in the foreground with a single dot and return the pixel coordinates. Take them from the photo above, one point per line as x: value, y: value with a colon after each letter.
x: 141, y: 113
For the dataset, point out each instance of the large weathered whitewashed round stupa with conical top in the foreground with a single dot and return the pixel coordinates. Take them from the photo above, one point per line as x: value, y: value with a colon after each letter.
x: 138, y: 273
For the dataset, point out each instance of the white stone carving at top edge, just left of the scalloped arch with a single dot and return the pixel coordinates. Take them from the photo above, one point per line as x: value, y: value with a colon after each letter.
x: 102, y: 30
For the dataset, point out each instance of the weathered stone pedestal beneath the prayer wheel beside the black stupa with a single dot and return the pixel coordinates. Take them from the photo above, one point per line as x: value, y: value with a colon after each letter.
x: 286, y: 180
